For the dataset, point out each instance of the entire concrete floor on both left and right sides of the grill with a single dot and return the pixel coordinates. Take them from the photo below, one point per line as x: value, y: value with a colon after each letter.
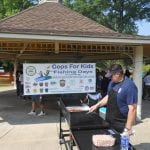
x: 19, y: 131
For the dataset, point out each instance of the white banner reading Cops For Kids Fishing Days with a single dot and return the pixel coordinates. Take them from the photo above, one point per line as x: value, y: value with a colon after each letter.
x: 59, y: 78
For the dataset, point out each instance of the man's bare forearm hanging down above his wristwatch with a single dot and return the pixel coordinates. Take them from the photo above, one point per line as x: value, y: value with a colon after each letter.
x: 131, y: 116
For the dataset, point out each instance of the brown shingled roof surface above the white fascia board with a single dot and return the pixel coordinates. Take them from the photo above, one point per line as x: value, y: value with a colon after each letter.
x: 55, y: 19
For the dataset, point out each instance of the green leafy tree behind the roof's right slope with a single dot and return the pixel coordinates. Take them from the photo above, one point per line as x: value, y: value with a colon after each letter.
x: 119, y: 15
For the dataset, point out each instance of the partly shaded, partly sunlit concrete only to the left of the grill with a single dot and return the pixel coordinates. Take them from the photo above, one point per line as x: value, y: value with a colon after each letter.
x: 19, y: 131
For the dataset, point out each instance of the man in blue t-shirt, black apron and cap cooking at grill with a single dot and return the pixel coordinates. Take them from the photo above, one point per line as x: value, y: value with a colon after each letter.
x: 121, y: 100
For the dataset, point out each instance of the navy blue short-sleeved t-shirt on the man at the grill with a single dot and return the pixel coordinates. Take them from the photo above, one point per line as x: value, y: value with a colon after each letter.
x: 127, y: 94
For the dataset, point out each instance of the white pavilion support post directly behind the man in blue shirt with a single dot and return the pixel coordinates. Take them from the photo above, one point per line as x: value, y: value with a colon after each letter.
x: 137, y: 77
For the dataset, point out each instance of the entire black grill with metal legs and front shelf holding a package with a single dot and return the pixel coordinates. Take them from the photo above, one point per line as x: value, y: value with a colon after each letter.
x: 82, y: 126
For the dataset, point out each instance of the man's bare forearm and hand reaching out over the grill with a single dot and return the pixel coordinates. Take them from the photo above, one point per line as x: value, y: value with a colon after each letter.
x: 101, y: 103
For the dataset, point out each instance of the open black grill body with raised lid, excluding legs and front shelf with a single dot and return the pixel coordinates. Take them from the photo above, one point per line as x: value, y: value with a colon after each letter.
x: 81, y: 120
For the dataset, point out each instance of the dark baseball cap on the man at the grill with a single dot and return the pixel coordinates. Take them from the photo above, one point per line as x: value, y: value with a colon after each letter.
x: 113, y: 69
